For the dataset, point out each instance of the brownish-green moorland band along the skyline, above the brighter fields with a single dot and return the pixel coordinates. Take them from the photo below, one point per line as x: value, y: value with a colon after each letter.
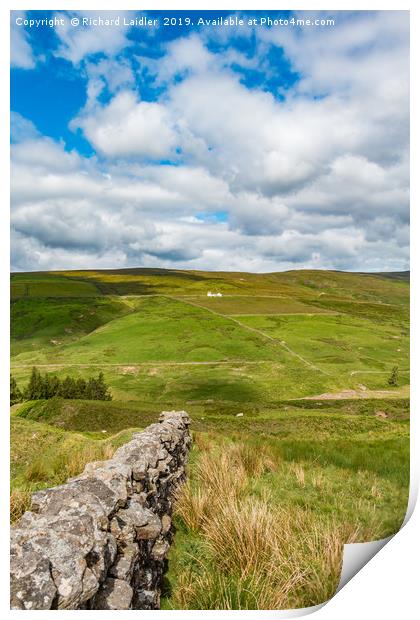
x: 293, y: 284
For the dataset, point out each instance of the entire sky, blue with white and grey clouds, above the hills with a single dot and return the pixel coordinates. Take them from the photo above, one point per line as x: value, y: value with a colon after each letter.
x: 187, y: 146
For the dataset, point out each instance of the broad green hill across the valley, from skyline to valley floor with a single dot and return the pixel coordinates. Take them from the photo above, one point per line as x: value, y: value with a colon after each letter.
x: 270, y: 336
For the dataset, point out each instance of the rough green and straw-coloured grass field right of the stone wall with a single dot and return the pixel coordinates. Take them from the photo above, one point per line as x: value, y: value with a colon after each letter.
x: 307, y: 499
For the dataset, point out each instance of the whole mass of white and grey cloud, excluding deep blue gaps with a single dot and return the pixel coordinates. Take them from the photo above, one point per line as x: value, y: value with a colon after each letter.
x: 319, y: 179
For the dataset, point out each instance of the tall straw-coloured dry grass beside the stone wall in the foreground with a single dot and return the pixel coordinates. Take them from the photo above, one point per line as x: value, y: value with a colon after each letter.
x: 255, y: 555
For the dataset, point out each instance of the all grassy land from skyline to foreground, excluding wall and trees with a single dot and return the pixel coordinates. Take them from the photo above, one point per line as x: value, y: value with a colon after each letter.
x: 285, y: 378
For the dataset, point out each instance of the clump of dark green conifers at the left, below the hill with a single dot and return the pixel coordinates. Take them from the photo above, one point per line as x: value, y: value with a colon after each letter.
x: 50, y: 386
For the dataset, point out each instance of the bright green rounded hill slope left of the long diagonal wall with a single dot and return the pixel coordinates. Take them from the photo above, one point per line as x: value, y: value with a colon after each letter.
x: 165, y: 330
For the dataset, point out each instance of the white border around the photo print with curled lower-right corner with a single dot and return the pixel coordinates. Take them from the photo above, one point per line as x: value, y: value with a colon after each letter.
x: 387, y: 586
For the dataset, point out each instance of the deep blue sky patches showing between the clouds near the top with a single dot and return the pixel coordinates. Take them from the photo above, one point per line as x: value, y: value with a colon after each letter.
x: 58, y: 88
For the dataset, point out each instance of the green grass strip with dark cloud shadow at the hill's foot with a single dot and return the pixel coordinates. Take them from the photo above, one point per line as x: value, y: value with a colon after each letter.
x: 234, y: 385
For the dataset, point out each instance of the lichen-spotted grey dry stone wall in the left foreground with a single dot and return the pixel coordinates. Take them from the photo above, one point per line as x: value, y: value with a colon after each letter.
x: 100, y: 541
